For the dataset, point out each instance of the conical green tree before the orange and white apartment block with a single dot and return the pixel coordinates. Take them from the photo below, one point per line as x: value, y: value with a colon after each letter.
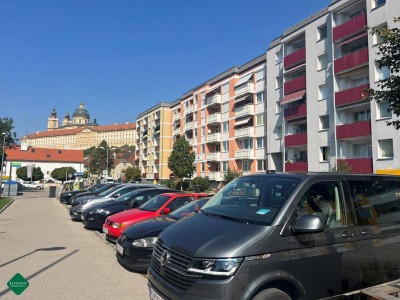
x: 181, y: 160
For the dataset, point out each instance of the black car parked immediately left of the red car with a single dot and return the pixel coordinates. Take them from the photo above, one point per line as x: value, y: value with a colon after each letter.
x: 95, y: 216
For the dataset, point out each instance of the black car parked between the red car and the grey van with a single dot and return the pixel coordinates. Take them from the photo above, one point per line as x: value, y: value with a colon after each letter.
x: 135, y: 245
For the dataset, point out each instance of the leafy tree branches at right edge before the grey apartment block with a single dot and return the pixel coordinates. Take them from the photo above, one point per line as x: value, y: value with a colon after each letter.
x: 388, y: 88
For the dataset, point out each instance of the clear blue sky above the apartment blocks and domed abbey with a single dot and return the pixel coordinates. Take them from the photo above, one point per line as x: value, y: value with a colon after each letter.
x: 121, y: 57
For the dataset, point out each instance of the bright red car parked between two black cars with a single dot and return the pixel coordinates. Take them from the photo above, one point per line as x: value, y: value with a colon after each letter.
x: 161, y: 204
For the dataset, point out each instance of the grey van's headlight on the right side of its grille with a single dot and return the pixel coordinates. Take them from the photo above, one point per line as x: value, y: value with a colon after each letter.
x: 216, y: 267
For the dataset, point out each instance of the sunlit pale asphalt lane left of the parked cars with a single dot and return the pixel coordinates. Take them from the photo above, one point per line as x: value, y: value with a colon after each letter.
x: 58, y: 257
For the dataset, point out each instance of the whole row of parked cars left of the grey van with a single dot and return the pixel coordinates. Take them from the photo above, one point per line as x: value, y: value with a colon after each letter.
x: 116, y: 209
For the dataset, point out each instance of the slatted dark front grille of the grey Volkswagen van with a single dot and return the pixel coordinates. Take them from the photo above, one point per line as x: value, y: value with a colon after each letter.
x: 175, y: 271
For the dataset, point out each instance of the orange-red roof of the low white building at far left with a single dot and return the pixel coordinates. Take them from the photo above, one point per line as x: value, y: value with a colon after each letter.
x: 46, y: 155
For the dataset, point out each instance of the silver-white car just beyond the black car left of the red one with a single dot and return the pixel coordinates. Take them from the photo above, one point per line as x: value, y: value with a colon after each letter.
x: 107, y: 195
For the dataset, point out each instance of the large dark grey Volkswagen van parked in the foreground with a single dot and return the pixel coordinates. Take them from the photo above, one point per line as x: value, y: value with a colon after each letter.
x: 283, y: 236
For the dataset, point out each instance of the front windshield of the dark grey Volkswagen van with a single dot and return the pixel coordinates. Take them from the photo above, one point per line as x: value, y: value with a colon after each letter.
x: 252, y: 199
